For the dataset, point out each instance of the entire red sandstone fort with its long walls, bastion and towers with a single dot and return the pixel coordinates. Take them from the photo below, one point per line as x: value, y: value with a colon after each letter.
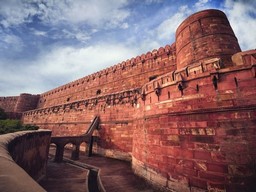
x: 184, y: 114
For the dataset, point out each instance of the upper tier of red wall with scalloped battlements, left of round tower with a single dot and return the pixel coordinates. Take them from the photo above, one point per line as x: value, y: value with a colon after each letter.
x: 127, y: 75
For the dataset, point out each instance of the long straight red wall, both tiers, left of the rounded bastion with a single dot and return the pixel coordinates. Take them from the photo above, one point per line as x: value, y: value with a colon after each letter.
x: 67, y: 110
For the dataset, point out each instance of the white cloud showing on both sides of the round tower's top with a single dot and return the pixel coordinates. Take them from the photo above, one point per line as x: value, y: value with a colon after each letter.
x: 241, y: 14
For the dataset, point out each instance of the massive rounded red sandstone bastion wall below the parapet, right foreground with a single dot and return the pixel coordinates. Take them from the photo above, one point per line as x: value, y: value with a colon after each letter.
x: 201, y: 139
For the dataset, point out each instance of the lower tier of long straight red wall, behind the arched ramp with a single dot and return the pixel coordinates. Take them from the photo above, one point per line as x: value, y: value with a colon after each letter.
x: 116, y: 115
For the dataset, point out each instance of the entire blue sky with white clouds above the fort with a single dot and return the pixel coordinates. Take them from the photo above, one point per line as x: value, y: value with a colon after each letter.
x: 47, y: 43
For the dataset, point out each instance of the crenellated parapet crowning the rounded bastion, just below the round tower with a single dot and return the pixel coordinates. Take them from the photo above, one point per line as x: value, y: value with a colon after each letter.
x: 208, y: 68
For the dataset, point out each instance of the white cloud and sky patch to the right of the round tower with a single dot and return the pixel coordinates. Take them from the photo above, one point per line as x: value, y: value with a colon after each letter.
x: 240, y: 14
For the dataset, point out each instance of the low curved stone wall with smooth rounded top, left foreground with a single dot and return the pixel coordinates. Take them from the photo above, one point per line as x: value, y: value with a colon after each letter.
x: 26, y: 150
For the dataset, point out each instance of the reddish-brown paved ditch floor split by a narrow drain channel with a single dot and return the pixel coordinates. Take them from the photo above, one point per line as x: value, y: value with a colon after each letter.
x: 116, y: 176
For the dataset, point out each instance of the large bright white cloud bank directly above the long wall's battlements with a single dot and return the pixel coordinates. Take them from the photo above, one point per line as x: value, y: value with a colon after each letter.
x: 58, y: 66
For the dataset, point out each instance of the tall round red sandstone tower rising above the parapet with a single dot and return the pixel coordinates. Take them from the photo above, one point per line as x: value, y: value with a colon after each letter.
x: 204, y: 35
